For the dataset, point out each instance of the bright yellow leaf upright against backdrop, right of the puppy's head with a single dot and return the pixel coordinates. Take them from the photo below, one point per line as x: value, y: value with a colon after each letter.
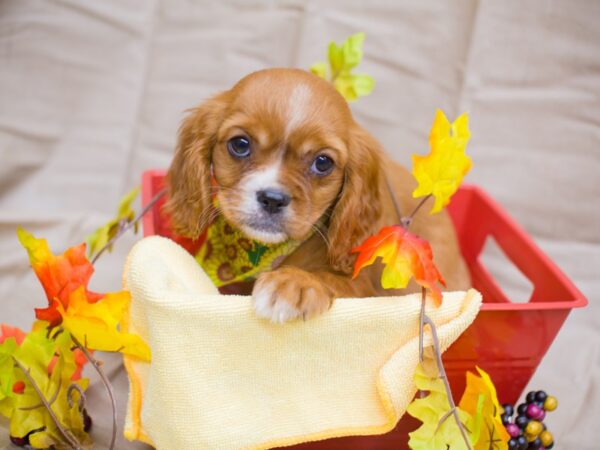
x: 441, y: 171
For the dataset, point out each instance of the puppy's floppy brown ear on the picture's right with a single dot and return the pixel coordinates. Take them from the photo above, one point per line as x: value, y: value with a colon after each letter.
x: 358, y: 209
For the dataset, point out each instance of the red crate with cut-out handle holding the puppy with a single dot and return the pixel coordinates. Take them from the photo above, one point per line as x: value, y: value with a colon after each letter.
x: 508, y: 340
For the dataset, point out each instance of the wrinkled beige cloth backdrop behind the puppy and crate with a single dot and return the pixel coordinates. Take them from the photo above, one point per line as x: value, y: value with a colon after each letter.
x: 92, y: 92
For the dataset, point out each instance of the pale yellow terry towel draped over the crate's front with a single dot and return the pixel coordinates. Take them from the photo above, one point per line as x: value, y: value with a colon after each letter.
x: 221, y: 378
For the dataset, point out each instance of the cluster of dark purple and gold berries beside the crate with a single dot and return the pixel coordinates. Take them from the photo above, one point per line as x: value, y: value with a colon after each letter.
x: 528, y: 431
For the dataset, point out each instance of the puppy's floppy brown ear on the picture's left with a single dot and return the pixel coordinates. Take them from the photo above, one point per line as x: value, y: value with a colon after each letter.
x: 189, y: 177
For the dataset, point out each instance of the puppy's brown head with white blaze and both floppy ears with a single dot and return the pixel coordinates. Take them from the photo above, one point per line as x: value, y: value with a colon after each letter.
x: 286, y: 156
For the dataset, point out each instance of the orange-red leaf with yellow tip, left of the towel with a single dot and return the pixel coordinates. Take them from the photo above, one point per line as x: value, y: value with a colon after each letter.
x: 59, y: 275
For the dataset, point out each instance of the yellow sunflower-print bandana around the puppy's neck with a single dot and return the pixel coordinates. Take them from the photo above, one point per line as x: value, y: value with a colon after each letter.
x: 228, y: 256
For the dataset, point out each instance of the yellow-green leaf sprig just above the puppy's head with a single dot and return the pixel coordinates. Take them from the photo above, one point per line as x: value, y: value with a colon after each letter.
x: 342, y: 59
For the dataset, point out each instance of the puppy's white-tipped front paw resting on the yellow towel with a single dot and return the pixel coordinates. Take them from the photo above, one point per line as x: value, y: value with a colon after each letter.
x: 289, y: 293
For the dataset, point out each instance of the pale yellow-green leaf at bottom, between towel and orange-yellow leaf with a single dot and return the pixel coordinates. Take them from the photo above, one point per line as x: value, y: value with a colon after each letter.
x: 434, y: 432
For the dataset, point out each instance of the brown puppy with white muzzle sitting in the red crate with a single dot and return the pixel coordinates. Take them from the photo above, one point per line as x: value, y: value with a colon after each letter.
x: 287, y: 162
